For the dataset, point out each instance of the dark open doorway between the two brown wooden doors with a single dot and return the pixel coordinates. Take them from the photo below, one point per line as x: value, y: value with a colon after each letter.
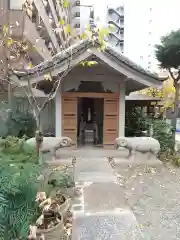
x: 90, y: 121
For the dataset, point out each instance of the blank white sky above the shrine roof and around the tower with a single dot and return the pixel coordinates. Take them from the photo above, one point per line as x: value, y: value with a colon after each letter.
x: 142, y: 26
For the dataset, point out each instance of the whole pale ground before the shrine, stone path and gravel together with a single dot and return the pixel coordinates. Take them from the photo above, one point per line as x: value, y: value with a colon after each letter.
x: 127, y: 201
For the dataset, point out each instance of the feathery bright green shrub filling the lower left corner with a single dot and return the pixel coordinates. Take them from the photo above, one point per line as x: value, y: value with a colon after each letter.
x: 18, y: 190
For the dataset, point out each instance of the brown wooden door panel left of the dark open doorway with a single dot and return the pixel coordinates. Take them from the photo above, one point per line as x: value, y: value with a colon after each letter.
x: 69, y: 118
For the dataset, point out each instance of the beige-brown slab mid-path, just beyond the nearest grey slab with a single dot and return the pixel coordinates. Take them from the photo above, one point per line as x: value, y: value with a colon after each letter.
x: 103, y: 197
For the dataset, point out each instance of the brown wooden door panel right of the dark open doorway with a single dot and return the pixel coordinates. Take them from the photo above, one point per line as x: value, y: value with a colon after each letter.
x: 111, y: 121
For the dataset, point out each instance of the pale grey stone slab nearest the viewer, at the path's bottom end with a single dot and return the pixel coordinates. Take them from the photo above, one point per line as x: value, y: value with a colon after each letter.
x: 120, y: 225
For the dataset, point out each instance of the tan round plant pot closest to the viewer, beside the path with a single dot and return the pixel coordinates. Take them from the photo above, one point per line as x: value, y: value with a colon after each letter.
x: 54, y: 233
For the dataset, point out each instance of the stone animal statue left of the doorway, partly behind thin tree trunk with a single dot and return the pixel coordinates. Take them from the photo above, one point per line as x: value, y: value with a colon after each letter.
x: 51, y: 144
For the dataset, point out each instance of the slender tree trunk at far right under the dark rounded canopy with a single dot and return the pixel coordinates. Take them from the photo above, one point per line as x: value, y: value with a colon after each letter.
x: 176, y: 111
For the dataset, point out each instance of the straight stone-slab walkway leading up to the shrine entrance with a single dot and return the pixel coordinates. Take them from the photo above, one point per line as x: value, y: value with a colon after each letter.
x: 101, y: 212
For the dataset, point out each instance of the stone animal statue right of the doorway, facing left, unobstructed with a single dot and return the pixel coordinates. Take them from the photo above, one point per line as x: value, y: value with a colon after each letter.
x: 138, y: 144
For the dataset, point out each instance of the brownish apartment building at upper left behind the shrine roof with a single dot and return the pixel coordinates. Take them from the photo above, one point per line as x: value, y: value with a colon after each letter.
x: 39, y: 26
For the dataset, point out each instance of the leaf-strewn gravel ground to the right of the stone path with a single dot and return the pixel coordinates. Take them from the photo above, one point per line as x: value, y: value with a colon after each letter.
x: 154, y: 197
